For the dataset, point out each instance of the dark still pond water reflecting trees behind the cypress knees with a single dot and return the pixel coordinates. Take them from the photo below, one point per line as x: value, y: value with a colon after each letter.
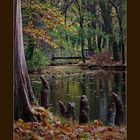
x: 96, y: 85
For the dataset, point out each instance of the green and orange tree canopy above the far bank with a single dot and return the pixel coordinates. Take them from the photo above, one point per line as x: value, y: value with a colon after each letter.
x: 95, y: 25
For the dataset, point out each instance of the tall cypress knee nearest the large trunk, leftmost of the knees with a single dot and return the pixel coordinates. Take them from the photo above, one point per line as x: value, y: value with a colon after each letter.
x: 44, y: 92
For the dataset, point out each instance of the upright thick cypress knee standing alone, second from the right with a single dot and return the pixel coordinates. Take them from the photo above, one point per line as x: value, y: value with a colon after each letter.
x: 84, y: 110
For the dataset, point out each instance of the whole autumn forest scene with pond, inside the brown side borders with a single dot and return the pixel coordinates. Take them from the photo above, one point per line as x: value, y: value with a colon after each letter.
x: 70, y: 69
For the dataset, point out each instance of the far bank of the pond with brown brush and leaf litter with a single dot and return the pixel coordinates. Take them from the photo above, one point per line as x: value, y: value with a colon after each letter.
x: 101, y: 61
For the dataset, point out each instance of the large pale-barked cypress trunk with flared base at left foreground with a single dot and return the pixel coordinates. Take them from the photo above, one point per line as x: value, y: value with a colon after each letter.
x: 23, y: 93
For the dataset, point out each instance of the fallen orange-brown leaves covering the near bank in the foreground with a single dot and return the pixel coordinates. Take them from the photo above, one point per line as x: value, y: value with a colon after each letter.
x: 53, y: 127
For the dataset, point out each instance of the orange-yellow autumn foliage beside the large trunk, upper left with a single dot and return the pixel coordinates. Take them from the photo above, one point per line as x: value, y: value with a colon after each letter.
x: 39, y: 18
